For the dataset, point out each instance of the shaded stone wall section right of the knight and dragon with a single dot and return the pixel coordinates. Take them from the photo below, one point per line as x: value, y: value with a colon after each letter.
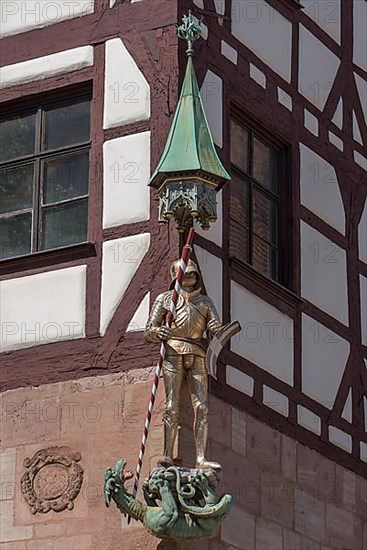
x: 287, y: 496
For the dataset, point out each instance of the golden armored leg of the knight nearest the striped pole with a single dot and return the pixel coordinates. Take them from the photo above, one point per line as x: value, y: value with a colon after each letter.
x: 173, y: 375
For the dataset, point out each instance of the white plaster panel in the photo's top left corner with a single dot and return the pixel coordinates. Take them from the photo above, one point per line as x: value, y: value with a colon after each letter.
x: 23, y: 15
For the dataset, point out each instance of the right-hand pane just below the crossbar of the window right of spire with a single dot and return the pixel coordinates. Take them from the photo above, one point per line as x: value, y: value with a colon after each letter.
x: 264, y: 217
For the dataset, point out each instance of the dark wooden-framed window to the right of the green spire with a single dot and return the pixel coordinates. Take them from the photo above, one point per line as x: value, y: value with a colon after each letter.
x: 255, y: 202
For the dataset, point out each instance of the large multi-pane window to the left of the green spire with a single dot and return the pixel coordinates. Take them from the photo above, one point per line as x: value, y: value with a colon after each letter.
x: 44, y: 177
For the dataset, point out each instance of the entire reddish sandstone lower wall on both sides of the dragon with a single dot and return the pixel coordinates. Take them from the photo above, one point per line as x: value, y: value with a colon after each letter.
x: 287, y: 497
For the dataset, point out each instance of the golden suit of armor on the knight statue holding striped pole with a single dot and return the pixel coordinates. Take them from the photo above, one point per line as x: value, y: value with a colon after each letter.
x: 185, y: 357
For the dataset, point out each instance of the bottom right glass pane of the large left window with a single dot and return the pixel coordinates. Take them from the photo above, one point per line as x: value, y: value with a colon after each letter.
x: 64, y: 225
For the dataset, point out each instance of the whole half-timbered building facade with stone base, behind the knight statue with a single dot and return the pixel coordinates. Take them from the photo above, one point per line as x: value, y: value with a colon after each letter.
x: 88, y: 92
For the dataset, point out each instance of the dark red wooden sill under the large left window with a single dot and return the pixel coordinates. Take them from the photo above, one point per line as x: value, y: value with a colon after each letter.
x: 47, y: 258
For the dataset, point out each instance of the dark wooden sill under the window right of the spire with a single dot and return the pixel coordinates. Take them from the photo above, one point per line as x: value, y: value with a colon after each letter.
x: 273, y: 292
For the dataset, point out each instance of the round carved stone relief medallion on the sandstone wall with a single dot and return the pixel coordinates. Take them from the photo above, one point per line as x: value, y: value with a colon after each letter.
x: 52, y: 480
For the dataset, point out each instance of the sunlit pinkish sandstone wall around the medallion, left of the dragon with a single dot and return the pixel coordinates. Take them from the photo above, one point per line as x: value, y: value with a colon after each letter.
x: 102, y: 418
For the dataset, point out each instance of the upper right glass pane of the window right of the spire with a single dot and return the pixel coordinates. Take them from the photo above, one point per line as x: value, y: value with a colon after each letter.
x: 265, y: 165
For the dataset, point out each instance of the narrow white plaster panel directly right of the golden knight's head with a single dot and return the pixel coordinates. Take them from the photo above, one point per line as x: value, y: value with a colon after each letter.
x: 212, y: 274
